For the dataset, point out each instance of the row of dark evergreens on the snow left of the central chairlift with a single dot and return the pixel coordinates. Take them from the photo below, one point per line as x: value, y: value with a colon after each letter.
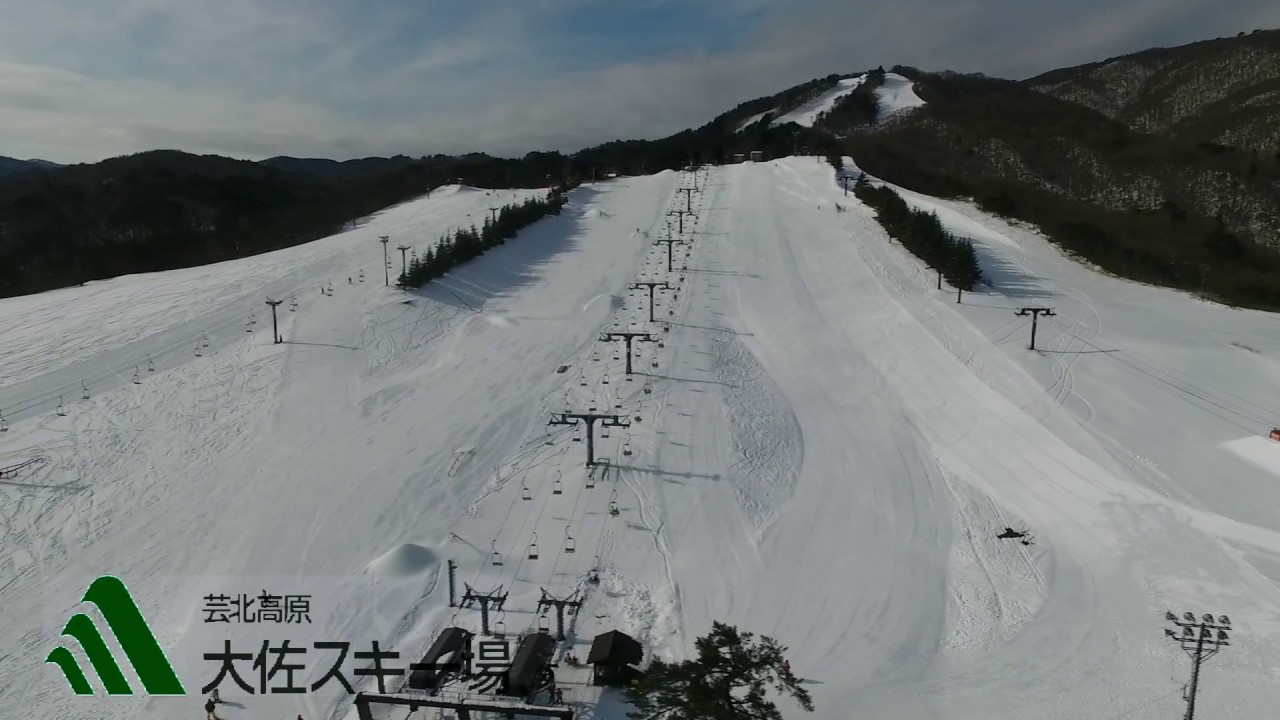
x: 469, y: 244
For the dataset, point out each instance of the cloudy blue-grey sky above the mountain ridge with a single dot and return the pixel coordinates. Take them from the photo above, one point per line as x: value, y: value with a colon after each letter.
x: 88, y: 80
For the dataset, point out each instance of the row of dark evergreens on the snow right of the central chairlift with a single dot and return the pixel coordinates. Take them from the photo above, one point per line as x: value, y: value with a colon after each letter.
x: 924, y: 235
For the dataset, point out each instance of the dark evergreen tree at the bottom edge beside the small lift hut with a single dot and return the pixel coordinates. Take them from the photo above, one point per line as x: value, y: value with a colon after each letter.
x: 728, y: 681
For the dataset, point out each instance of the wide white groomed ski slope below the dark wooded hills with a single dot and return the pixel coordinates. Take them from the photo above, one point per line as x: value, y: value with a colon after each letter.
x: 824, y: 449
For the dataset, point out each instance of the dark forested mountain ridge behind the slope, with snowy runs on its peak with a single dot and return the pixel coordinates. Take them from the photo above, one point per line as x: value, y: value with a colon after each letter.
x: 1160, y: 166
